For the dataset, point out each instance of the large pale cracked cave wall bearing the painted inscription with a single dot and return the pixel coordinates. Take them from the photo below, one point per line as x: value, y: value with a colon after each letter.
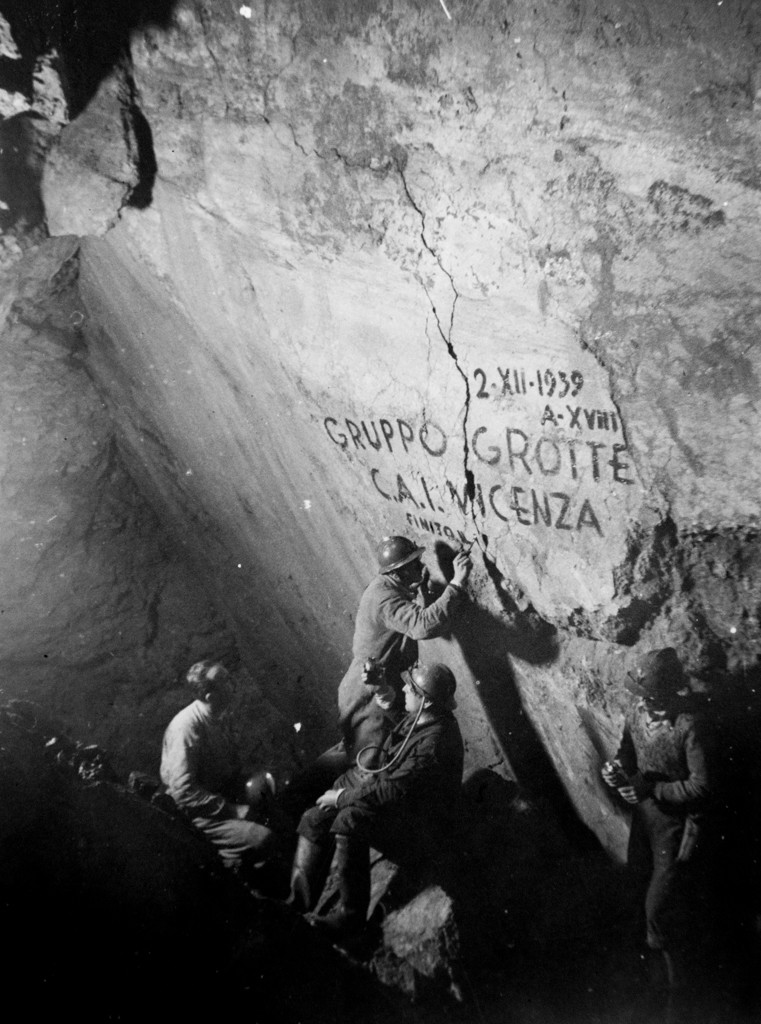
x: 360, y: 269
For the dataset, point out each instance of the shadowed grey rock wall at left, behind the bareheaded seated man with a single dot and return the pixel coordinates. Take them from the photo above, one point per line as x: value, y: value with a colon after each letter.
x: 101, y: 611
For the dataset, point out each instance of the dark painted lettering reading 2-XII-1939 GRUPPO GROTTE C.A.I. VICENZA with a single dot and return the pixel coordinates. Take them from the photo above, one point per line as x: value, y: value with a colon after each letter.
x: 539, y: 457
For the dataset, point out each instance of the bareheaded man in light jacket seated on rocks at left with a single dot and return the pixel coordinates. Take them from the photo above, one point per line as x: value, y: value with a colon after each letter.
x: 200, y: 770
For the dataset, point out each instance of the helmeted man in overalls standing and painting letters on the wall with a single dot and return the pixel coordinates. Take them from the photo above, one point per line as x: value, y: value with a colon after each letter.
x: 392, y: 618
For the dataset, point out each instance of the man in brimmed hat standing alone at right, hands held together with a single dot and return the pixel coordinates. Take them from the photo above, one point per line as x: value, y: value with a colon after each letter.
x: 664, y: 770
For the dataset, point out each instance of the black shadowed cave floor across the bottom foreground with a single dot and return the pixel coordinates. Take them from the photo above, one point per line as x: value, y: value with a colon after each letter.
x: 114, y: 911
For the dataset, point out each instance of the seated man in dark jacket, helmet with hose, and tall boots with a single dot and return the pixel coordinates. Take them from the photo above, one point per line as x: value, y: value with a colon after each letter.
x: 401, y: 806
